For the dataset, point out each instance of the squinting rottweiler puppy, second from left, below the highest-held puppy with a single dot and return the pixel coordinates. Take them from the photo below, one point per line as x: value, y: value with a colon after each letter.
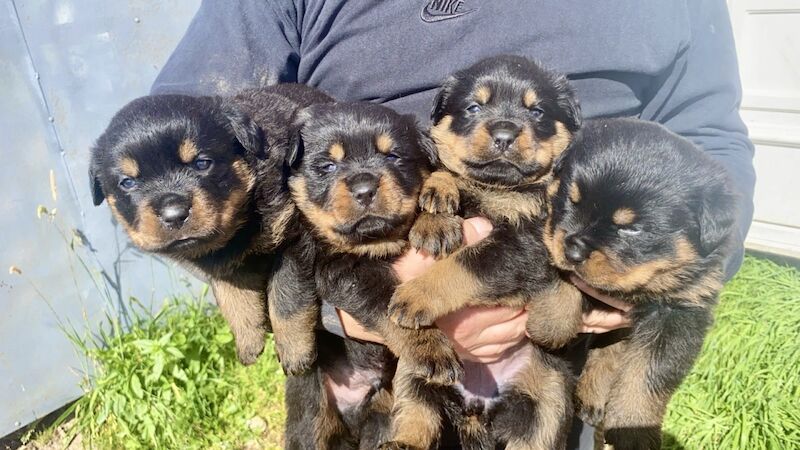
x: 356, y: 176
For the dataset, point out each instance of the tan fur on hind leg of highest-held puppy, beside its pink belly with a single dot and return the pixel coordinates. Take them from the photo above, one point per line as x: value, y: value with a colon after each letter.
x: 549, y: 390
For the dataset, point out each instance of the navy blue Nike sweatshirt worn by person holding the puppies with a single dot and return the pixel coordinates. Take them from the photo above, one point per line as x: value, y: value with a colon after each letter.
x: 670, y: 61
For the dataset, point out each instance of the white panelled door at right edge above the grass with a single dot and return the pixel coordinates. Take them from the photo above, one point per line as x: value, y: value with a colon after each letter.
x: 767, y: 36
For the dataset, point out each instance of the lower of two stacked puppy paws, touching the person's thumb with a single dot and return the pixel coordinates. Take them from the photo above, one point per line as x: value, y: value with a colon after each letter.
x: 437, y: 234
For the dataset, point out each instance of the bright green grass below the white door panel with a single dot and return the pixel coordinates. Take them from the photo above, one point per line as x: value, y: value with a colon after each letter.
x: 744, y: 391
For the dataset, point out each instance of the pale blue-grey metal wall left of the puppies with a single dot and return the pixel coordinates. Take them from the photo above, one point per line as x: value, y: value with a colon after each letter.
x: 65, y: 67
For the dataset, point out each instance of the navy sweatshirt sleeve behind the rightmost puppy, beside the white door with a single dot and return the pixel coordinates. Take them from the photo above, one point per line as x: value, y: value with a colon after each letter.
x: 699, y: 99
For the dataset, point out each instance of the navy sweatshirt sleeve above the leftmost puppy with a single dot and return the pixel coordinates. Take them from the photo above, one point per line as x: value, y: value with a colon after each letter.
x: 230, y: 46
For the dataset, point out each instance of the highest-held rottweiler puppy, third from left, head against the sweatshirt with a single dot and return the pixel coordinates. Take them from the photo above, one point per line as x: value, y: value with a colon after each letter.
x: 498, y: 126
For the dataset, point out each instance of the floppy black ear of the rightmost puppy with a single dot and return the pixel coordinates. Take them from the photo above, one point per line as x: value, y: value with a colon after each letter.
x: 716, y: 216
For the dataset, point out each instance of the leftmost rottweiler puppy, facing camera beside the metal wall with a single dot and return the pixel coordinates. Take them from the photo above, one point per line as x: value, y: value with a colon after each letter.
x: 202, y: 180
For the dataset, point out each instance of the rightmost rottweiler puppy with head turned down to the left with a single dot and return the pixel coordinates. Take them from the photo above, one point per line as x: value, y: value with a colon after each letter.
x: 643, y: 215
